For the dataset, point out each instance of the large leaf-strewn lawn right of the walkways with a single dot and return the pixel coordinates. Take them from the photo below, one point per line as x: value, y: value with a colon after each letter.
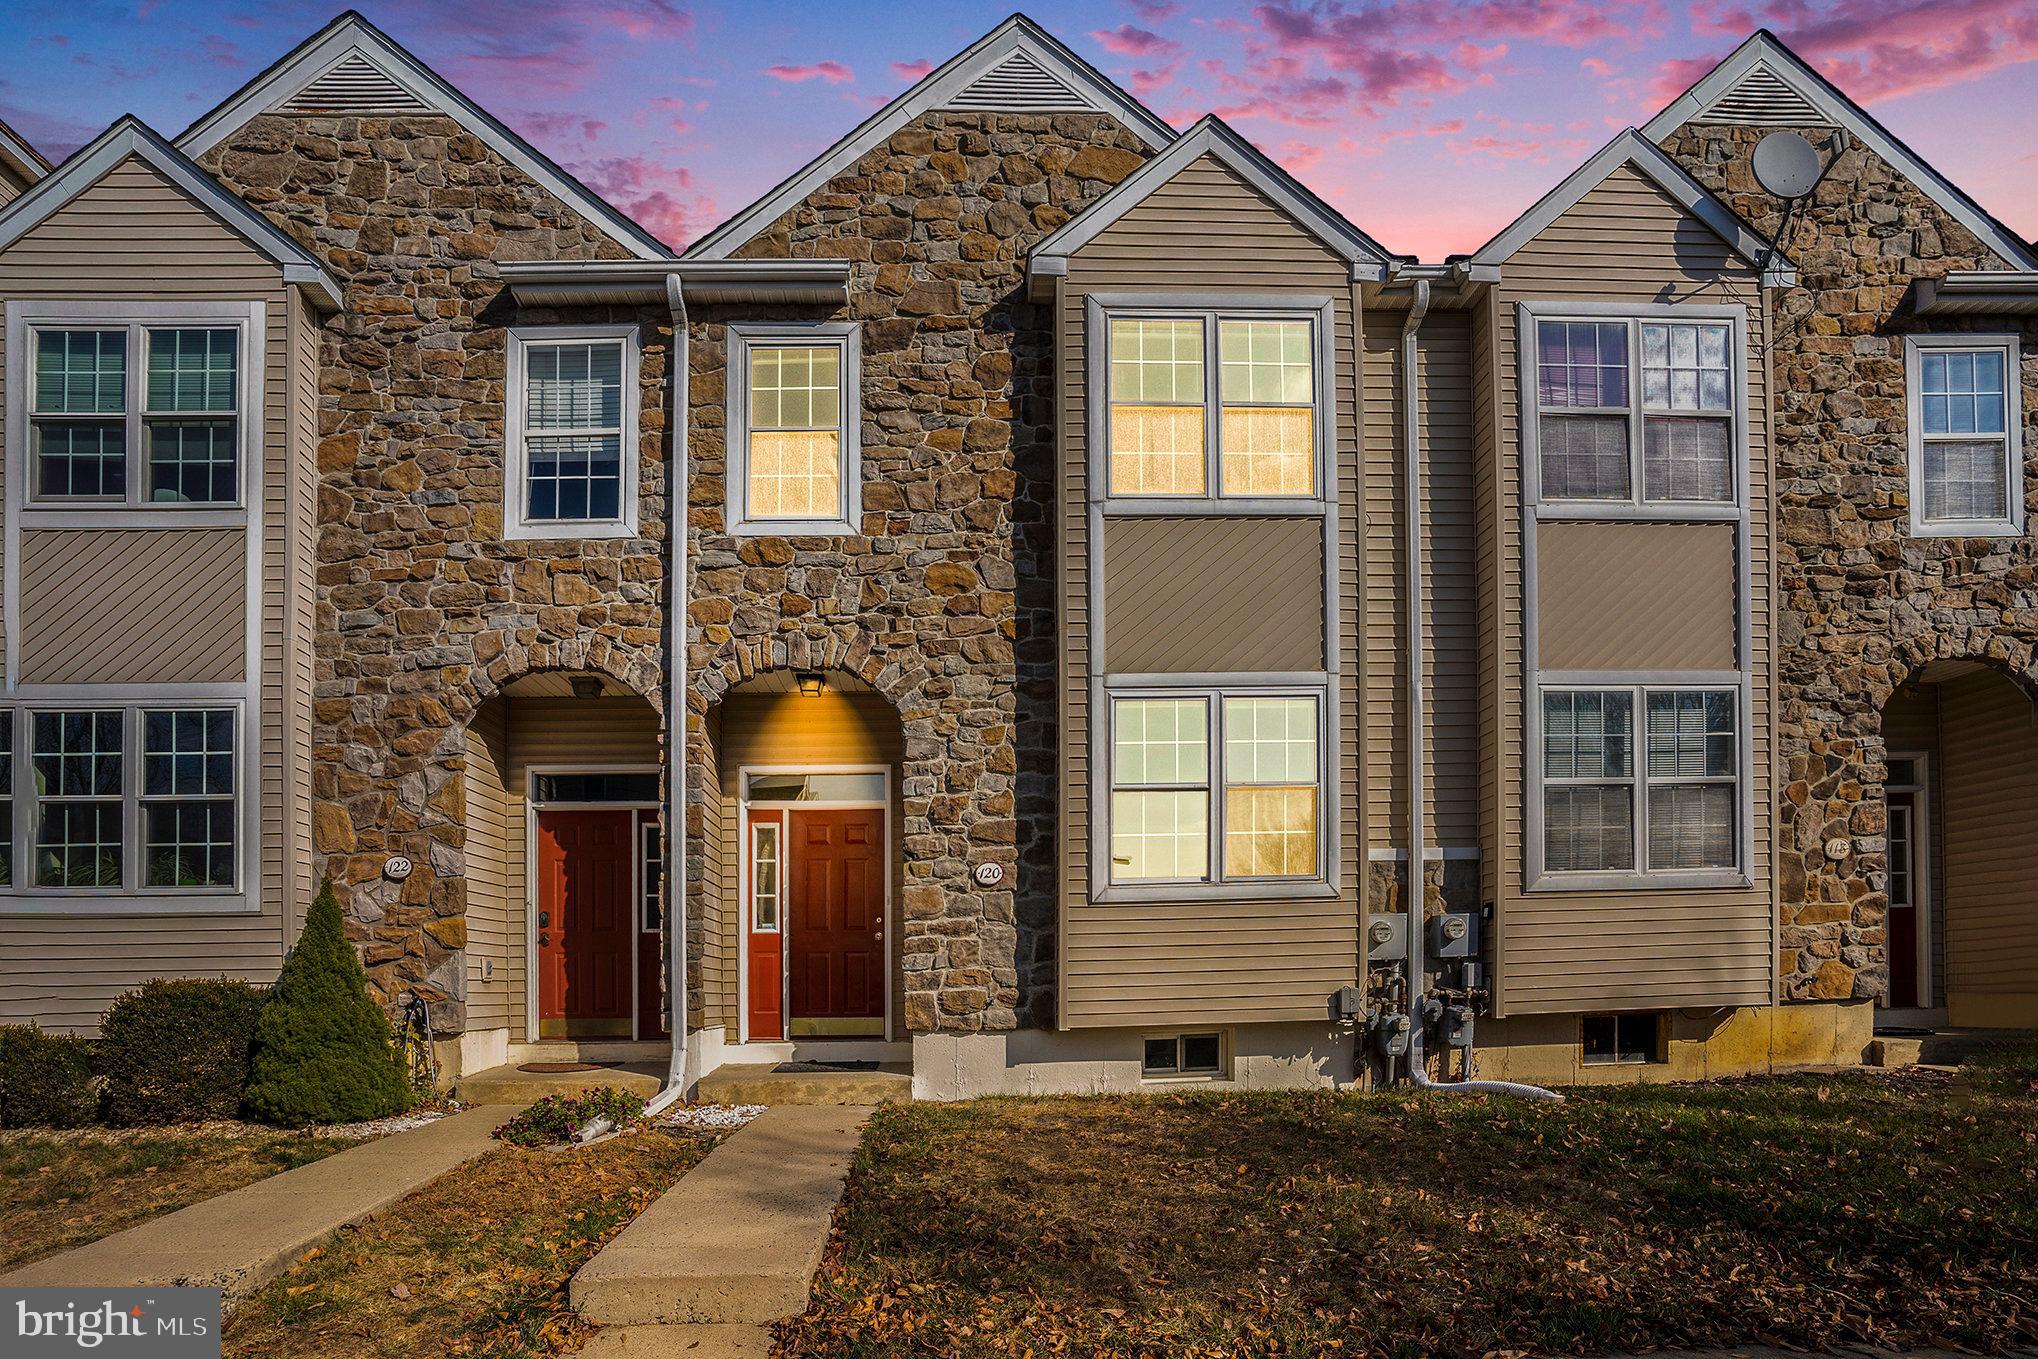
x: 1809, y: 1211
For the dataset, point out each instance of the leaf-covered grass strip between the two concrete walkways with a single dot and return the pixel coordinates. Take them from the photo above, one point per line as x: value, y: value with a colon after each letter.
x: 474, y: 1264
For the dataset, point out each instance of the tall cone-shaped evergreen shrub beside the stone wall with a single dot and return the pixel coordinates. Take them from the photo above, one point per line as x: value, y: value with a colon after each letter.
x: 323, y: 1048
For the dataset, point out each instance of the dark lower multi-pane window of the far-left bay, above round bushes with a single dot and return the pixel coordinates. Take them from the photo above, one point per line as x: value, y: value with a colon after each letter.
x: 127, y: 798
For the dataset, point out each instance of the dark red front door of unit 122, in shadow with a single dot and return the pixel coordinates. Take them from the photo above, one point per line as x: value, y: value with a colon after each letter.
x: 586, y: 922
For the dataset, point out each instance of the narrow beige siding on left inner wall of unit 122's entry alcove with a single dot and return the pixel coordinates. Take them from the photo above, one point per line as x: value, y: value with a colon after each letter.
x: 494, y: 928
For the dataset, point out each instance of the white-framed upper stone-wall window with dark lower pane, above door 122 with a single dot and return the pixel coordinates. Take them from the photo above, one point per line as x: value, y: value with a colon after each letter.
x: 572, y: 433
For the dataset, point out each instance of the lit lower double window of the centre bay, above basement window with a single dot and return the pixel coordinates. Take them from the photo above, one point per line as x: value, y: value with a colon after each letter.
x: 1216, y: 787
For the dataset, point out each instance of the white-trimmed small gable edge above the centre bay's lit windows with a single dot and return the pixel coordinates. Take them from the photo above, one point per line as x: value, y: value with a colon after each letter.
x: 1214, y: 138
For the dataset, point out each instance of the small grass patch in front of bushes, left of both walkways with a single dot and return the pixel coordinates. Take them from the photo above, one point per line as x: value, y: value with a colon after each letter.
x: 64, y: 1189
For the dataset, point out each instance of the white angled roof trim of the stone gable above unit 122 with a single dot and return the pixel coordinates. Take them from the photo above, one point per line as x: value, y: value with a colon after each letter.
x: 354, y: 36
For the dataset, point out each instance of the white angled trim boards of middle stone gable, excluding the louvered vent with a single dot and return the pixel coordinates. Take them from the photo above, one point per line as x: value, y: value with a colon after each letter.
x: 938, y: 91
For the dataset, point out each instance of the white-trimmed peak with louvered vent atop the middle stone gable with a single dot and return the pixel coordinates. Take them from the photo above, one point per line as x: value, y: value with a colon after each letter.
x: 1018, y: 66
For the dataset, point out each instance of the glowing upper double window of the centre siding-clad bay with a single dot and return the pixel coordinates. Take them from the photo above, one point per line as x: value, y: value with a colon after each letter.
x: 1214, y: 406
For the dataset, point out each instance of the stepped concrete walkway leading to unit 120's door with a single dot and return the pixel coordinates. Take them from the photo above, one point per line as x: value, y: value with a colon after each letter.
x: 731, y: 1248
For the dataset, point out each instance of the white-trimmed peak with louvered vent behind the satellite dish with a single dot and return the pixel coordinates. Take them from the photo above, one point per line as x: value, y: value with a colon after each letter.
x: 1768, y: 85
